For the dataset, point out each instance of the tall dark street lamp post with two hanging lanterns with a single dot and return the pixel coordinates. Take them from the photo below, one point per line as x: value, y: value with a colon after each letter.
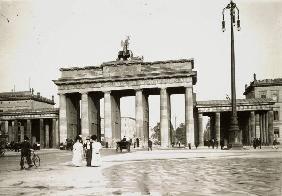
x: 234, y: 131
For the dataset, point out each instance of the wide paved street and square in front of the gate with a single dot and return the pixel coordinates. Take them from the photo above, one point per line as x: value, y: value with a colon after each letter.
x: 158, y: 172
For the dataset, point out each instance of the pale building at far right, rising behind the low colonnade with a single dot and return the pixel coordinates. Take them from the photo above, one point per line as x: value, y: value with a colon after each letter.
x: 272, y: 89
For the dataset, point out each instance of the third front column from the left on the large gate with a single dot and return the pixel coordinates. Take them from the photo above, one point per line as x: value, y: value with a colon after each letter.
x: 108, y: 118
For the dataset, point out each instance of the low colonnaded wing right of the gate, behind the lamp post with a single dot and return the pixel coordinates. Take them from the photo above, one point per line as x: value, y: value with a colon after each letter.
x: 255, y: 119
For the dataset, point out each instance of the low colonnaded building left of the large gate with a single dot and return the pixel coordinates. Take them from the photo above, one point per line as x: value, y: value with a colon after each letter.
x: 23, y: 113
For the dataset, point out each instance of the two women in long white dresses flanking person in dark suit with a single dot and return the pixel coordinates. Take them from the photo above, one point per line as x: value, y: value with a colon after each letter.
x: 90, y: 149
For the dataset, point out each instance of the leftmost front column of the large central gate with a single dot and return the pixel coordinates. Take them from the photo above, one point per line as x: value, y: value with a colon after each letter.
x: 63, y: 129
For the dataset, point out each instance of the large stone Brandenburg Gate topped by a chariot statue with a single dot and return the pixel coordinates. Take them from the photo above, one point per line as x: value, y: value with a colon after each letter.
x: 81, y: 88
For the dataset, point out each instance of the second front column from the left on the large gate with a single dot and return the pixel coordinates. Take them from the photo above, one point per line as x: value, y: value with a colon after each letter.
x: 84, y: 115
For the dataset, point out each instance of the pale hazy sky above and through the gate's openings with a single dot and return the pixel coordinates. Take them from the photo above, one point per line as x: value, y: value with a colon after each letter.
x: 39, y: 37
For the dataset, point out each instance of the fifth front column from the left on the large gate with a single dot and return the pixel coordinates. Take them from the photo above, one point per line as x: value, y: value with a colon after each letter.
x: 164, y: 119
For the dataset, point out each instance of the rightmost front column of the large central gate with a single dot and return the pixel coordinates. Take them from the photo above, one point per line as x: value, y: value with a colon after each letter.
x: 189, y: 121
